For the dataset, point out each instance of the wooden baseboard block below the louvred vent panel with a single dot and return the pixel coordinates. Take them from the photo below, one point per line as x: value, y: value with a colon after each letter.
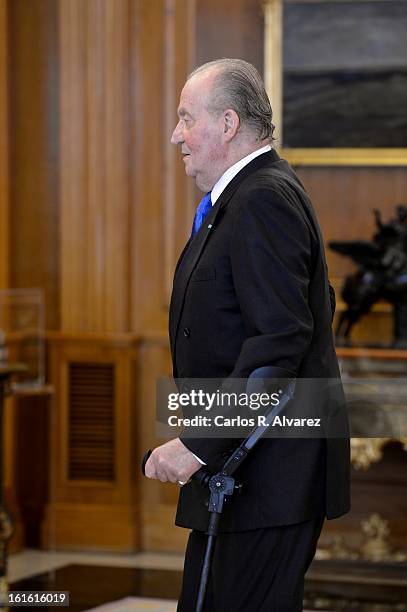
x: 91, y: 527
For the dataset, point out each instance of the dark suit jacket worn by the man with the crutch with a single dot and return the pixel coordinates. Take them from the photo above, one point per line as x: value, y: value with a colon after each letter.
x: 252, y: 291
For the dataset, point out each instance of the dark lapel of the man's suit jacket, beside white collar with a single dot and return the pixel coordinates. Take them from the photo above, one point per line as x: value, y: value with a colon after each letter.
x: 193, y: 249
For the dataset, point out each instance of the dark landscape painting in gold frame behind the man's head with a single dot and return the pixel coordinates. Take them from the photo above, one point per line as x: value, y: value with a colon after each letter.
x: 336, y: 72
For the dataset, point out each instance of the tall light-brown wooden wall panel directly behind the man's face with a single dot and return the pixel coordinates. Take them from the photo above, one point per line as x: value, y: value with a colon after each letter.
x: 162, y: 197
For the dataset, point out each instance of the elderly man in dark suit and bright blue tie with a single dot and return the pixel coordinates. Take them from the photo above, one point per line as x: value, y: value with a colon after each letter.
x: 250, y: 292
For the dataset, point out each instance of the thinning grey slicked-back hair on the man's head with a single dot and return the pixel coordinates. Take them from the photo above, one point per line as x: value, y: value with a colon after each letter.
x: 238, y: 85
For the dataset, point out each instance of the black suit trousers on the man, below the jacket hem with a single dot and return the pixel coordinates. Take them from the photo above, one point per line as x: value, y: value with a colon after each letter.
x: 261, y: 569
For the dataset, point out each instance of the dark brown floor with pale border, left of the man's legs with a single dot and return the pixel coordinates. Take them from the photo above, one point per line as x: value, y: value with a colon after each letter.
x: 95, y: 581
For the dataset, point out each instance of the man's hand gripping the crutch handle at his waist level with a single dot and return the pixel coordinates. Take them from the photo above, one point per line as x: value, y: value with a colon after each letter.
x: 172, y: 462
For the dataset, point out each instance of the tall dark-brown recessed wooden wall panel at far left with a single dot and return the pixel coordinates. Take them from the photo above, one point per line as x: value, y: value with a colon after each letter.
x: 33, y: 129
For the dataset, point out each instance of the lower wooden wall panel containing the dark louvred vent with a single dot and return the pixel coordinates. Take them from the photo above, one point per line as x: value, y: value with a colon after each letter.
x: 81, y: 504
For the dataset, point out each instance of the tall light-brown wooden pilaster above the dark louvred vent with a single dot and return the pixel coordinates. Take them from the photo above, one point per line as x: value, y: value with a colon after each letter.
x: 94, y: 106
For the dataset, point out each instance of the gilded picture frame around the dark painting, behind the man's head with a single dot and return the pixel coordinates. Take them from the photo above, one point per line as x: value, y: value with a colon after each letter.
x: 273, y: 77
